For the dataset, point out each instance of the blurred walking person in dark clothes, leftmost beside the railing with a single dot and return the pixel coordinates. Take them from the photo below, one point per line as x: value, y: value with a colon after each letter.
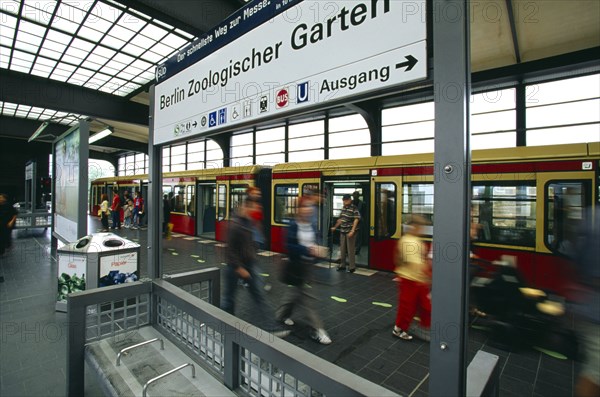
x: 241, y: 262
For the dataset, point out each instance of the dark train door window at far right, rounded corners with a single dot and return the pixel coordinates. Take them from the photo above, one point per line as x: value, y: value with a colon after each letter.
x: 565, y: 214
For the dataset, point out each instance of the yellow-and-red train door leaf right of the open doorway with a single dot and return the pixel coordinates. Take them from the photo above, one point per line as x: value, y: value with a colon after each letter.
x: 385, y: 222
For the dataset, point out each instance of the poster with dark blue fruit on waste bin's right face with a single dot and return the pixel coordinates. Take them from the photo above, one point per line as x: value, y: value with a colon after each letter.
x: 118, y: 269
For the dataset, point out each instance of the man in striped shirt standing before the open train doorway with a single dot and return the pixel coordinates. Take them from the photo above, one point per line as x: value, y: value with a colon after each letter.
x: 348, y: 224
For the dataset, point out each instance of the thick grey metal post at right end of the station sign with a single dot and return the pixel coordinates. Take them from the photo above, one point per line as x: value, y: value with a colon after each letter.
x: 451, y: 72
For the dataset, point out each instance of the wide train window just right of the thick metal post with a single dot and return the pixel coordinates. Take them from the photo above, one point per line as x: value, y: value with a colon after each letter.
x: 506, y: 213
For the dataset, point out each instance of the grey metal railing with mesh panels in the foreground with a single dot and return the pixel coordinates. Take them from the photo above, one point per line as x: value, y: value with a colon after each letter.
x: 249, y: 360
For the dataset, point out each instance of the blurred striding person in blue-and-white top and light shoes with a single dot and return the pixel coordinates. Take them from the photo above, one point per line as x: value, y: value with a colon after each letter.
x: 303, y: 250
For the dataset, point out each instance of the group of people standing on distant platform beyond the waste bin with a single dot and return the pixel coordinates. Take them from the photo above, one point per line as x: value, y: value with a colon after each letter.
x: 133, y: 210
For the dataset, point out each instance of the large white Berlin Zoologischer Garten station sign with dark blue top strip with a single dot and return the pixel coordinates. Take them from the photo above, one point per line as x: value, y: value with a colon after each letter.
x: 308, y: 55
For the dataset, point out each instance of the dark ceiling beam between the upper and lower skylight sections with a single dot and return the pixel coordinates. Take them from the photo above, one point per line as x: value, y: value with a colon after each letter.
x: 36, y: 91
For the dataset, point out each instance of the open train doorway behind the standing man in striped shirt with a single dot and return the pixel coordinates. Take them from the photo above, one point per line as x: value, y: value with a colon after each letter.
x: 333, y: 192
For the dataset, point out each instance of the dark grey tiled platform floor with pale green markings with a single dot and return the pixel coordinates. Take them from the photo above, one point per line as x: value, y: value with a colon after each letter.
x: 358, y: 311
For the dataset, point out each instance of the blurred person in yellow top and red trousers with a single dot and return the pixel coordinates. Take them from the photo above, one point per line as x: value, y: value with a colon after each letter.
x: 414, y: 270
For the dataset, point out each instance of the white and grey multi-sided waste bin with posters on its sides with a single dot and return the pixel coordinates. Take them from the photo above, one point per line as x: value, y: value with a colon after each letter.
x: 93, y: 261
